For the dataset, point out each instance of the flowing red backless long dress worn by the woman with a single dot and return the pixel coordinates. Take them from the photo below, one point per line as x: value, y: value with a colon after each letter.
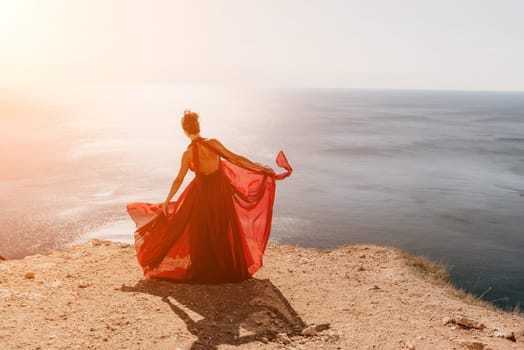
x: 216, y: 231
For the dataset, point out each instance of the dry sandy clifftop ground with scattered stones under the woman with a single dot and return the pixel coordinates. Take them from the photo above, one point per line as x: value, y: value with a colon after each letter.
x: 93, y: 296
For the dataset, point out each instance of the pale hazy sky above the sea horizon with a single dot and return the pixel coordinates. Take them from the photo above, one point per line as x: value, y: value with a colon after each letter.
x: 441, y: 44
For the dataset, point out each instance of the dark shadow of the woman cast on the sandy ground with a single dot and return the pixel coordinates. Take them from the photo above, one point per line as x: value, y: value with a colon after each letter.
x: 230, y: 313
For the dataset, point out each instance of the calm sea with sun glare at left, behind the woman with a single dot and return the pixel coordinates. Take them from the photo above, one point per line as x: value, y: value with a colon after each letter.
x: 435, y: 173
